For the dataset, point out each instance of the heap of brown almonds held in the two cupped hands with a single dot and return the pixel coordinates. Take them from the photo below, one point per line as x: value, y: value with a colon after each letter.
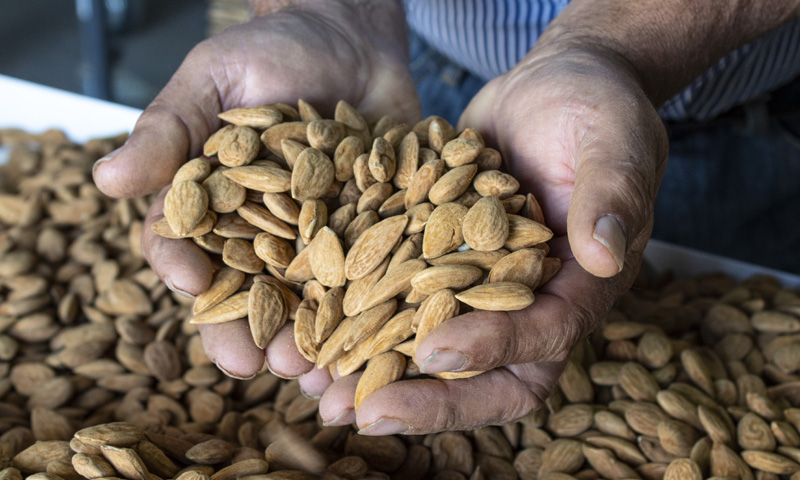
x: 364, y: 235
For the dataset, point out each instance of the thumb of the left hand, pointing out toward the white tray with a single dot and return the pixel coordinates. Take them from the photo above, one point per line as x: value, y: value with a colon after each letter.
x: 170, y: 130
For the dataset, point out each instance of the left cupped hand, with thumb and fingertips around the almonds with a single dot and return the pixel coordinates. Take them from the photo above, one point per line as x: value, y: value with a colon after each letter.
x: 330, y: 50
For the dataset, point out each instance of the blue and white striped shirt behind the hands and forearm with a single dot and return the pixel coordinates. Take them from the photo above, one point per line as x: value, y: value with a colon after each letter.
x: 489, y: 37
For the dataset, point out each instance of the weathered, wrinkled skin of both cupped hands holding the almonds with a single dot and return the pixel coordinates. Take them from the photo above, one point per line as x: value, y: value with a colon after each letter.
x: 576, y: 130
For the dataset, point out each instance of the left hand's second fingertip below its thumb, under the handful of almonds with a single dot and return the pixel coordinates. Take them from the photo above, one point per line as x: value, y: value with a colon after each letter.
x: 232, y: 348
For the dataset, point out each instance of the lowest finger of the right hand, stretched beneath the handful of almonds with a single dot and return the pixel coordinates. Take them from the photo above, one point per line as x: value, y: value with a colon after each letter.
x: 431, y: 405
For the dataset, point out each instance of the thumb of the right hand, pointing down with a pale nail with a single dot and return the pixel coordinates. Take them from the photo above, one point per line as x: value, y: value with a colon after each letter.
x: 612, y: 202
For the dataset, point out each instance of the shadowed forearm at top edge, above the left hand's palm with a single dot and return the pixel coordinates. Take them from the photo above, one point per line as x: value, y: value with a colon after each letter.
x: 381, y: 21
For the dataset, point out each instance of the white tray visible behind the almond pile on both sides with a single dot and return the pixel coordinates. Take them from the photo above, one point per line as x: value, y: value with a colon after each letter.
x: 36, y: 108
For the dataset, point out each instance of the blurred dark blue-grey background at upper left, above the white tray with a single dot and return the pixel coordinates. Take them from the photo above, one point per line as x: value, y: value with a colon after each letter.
x: 118, y: 50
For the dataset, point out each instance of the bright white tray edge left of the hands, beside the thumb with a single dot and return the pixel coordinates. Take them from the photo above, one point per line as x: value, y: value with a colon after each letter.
x: 36, y: 108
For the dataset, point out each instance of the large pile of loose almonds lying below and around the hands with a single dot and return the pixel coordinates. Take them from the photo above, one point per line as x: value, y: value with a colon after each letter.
x: 102, y: 374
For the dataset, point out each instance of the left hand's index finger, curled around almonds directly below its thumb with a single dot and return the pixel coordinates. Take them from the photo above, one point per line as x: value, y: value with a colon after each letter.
x: 180, y: 264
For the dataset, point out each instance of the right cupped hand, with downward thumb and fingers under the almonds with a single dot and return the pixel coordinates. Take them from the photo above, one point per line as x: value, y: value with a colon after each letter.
x: 578, y: 132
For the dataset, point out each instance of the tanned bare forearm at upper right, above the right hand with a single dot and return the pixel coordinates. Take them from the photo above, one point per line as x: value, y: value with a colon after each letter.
x: 668, y: 43
